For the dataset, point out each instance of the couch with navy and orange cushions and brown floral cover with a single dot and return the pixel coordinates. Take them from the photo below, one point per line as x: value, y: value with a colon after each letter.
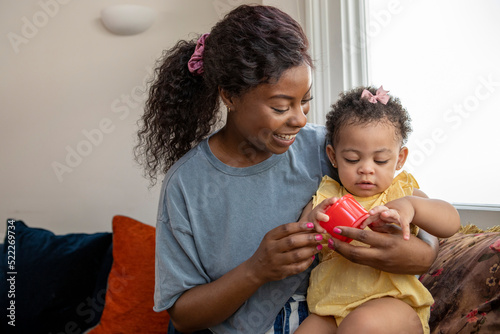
x: 103, y: 282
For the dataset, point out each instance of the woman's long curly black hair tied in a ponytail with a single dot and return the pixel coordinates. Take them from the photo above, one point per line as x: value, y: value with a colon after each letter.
x: 251, y: 45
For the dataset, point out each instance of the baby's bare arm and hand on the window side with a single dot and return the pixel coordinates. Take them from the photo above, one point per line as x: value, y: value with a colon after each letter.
x: 436, y: 217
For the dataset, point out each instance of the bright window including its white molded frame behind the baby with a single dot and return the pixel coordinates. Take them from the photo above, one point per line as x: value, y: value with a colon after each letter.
x: 440, y: 59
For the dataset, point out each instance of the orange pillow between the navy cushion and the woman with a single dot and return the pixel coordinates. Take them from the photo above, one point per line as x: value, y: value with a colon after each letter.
x: 129, y: 298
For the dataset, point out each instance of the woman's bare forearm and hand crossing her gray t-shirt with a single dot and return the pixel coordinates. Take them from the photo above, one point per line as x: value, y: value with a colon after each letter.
x: 286, y: 250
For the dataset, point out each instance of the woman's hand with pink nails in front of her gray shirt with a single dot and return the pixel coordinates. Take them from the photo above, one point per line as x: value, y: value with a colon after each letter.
x: 286, y: 250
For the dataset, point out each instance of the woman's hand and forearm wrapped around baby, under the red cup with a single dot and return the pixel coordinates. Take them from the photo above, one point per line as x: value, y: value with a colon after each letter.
x: 388, y: 251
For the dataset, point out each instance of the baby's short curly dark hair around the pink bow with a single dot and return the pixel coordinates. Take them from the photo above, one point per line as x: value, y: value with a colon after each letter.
x: 352, y: 109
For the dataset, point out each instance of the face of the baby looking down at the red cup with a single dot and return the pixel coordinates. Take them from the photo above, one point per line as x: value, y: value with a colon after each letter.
x: 367, y: 156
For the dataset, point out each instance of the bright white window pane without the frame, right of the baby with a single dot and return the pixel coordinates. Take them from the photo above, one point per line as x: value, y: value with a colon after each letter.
x: 441, y: 59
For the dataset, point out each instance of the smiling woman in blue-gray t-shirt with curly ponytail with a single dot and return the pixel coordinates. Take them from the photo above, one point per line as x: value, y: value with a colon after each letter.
x: 230, y: 254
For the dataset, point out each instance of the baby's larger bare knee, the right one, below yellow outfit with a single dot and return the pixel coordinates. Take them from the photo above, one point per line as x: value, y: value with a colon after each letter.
x: 385, y: 316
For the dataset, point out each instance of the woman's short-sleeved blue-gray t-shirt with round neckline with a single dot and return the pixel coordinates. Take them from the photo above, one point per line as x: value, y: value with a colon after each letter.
x: 212, y: 217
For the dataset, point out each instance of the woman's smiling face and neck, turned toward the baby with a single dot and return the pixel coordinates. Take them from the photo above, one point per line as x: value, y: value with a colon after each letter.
x: 264, y: 120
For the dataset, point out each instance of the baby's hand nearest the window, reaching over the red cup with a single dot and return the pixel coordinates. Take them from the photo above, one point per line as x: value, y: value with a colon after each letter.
x: 399, y: 214
